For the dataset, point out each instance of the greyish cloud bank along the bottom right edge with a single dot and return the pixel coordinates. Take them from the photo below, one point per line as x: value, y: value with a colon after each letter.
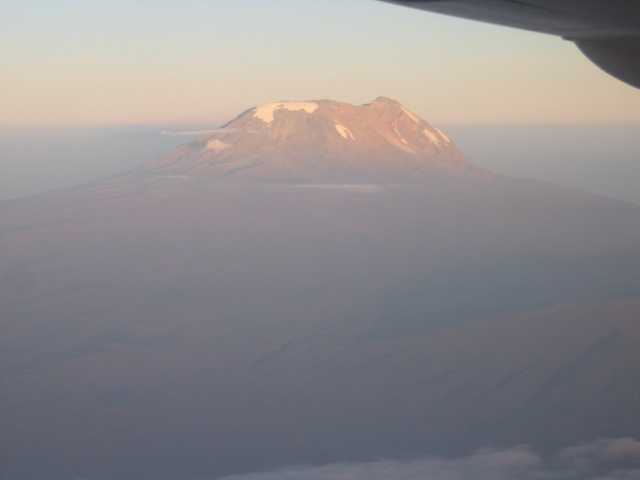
x: 617, y: 459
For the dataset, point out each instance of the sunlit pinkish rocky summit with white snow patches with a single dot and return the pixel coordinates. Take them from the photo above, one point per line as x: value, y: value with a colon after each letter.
x: 321, y: 141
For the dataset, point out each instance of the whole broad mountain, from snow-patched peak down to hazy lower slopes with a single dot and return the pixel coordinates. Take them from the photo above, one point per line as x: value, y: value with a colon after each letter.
x: 314, y: 282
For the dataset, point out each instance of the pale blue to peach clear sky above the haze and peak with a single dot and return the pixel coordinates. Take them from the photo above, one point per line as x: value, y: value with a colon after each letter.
x: 117, y: 62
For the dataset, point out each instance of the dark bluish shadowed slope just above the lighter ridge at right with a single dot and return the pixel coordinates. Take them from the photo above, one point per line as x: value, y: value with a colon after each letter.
x: 443, y: 299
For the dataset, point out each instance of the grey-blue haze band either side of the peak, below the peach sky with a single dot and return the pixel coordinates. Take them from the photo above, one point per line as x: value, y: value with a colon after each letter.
x: 573, y: 155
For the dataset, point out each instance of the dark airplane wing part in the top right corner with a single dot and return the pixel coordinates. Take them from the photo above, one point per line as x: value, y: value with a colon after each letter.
x: 606, y: 31
